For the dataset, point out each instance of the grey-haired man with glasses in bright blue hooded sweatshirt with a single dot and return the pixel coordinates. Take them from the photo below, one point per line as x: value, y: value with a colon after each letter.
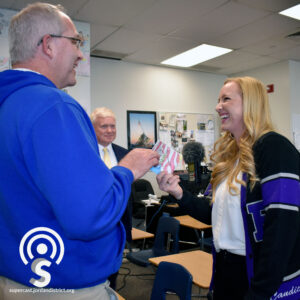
x: 60, y: 206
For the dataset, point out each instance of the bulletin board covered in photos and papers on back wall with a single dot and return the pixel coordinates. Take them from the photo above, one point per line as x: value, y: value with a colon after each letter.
x: 177, y: 129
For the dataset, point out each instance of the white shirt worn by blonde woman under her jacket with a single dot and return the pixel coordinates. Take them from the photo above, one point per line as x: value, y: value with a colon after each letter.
x: 227, y: 221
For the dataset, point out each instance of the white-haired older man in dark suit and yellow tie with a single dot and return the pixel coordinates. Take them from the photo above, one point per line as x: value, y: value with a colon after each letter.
x: 104, y: 122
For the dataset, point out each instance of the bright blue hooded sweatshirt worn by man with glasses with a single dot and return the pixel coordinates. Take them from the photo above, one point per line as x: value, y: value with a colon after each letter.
x: 52, y: 177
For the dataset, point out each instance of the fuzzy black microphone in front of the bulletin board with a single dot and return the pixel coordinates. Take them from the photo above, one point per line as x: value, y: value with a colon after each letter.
x: 193, y: 154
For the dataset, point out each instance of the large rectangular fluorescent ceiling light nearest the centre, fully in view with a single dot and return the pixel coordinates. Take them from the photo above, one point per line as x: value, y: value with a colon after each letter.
x: 196, y: 56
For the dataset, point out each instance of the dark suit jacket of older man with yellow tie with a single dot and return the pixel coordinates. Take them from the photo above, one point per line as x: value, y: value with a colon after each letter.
x: 120, y: 152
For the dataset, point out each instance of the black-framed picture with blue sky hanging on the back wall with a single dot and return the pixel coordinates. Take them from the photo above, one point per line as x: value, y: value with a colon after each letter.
x: 141, y: 129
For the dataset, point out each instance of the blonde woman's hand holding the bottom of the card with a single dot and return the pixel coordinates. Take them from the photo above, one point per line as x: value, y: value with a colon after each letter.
x: 169, y: 183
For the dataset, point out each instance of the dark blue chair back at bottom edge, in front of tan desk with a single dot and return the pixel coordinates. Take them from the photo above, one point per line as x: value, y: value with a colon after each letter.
x: 171, y: 277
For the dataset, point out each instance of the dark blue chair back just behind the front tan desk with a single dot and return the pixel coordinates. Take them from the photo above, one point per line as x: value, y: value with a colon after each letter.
x: 167, y: 230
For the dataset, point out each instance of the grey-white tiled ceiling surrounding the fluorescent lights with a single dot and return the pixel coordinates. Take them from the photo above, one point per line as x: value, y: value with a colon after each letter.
x: 149, y: 31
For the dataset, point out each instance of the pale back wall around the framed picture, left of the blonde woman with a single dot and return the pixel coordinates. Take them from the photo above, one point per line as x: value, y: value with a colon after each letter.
x: 123, y: 86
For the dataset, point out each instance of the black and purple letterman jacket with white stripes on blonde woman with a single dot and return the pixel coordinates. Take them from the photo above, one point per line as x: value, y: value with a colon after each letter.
x: 271, y: 220
